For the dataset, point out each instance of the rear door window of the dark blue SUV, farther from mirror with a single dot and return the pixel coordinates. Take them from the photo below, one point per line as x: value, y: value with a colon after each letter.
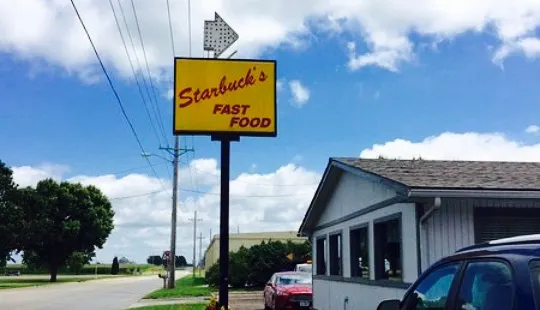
x: 486, y: 285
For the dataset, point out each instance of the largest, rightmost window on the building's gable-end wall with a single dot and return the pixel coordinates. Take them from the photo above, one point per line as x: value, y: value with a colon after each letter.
x: 388, y: 260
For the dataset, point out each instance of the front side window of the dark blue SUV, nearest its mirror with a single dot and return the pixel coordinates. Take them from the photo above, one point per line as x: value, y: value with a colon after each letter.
x: 432, y: 291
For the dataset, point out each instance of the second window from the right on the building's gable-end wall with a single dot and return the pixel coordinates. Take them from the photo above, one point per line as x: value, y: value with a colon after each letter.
x: 359, y: 252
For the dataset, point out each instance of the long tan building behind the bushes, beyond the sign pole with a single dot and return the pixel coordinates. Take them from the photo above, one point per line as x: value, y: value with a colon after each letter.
x: 247, y: 240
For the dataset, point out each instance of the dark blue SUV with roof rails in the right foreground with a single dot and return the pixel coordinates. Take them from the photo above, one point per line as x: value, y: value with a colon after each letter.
x: 499, y: 275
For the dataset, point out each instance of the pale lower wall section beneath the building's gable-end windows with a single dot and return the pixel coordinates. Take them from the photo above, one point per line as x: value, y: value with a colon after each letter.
x: 329, y: 295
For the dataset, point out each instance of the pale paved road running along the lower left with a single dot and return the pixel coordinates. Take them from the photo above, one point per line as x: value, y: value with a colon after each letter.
x: 106, y: 294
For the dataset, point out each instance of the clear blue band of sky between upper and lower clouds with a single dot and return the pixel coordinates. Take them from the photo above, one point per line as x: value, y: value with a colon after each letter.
x: 53, y: 117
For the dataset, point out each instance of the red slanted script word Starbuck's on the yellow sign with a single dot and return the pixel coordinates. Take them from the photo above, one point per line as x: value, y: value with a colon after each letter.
x: 188, y: 96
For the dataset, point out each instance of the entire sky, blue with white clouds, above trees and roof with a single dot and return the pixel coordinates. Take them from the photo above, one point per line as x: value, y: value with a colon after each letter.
x: 429, y: 86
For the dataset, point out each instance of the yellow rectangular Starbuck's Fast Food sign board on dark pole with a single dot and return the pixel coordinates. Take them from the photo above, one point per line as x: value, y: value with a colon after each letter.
x: 225, y: 96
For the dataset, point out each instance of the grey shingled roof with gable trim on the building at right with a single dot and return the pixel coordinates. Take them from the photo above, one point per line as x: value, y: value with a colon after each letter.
x: 406, y: 175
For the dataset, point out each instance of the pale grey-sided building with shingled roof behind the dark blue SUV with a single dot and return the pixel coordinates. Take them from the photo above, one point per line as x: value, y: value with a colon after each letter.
x: 376, y: 224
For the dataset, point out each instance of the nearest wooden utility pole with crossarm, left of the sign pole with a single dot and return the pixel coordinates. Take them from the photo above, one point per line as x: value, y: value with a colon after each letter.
x: 176, y: 152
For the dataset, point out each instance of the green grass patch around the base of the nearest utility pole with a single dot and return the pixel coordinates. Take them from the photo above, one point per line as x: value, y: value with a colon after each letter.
x: 185, y: 287
